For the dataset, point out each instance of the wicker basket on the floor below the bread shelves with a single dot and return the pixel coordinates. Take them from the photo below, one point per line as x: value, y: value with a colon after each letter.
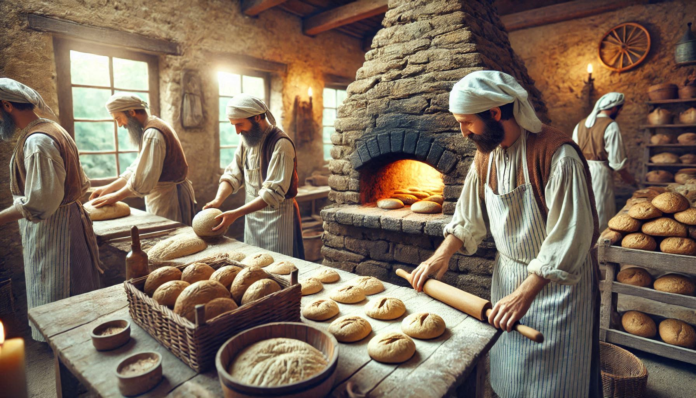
x: 623, y: 374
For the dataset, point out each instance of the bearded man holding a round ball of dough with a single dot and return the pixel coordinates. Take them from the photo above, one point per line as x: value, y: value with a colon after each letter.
x: 265, y: 163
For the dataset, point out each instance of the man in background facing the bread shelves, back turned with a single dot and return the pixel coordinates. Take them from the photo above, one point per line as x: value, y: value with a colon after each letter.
x: 599, y: 138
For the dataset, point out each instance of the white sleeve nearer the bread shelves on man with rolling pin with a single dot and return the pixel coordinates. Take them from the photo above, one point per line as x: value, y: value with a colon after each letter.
x: 569, y: 225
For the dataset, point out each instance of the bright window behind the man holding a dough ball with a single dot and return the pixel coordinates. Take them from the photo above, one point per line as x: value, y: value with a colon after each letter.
x: 231, y: 84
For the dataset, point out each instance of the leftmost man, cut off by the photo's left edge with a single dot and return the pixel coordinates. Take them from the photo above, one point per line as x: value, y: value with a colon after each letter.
x: 61, y: 258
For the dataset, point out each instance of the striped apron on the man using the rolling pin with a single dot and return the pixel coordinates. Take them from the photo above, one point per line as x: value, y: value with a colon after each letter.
x: 559, y: 367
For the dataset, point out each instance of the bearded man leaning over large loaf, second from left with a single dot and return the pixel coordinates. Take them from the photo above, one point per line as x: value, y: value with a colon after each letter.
x: 160, y: 171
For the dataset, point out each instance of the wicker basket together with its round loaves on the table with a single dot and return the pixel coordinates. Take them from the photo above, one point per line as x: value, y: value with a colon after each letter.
x: 193, y: 309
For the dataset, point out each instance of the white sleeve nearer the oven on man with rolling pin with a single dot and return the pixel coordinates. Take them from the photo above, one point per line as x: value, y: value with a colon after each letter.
x: 468, y: 223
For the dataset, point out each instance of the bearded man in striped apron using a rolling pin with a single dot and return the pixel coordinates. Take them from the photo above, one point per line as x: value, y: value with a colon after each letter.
x: 529, y: 185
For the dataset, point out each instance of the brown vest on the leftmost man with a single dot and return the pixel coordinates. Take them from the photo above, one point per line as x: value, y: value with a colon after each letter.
x: 68, y: 152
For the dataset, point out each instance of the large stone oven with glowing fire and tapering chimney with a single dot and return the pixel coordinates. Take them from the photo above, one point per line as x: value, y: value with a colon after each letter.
x: 394, y: 131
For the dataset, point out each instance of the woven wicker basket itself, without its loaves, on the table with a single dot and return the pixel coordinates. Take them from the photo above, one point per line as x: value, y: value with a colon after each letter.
x: 197, y: 343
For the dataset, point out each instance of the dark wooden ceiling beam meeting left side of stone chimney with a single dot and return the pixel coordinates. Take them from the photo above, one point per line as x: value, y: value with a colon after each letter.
x: 344, y: 15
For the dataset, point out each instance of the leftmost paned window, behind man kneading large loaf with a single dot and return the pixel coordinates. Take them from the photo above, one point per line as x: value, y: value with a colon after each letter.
x: 88, y: 76
